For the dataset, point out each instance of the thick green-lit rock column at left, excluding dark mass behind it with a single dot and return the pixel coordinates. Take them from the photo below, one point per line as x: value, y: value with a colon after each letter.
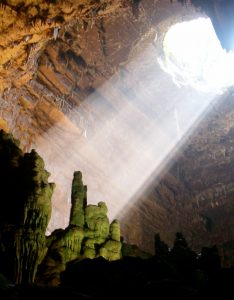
x: 30, y: 240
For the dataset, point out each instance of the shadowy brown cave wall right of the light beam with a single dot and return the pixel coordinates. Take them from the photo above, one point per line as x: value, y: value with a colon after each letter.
x: 196, y: 195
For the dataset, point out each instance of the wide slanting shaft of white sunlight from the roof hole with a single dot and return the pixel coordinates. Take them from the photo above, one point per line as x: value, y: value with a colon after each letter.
x: 123, y: 134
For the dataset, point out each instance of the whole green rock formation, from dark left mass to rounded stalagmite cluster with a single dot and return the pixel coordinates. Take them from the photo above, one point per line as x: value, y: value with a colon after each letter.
x: 25, y: 213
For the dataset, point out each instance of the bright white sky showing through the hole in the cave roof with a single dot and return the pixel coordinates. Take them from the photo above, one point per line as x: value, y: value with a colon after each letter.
x: 194, y: 56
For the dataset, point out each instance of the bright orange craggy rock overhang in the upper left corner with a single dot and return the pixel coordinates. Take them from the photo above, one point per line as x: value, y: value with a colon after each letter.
x: 27, y: 26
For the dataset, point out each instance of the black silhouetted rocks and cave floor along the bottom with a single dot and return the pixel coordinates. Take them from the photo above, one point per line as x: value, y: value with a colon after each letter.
x: 158, y: 277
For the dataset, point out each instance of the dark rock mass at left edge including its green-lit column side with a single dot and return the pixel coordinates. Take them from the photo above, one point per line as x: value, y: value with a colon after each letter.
x: 25, y: 210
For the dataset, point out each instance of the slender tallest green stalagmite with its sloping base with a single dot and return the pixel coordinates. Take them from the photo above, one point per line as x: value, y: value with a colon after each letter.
x: 66, y: 245
